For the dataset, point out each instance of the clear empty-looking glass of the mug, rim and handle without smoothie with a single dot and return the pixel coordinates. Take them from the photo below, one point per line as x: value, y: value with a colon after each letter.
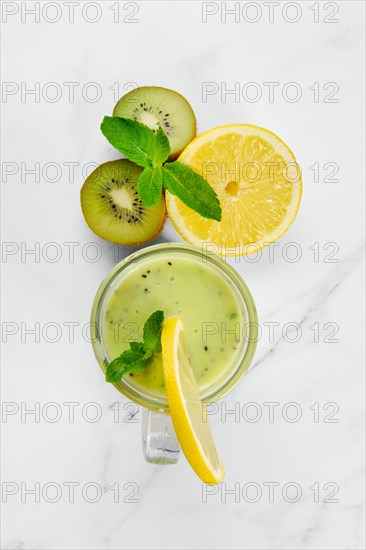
x: 159, y: 441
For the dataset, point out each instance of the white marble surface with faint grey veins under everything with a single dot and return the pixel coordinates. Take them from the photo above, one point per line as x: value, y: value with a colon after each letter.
x: 171, y: 46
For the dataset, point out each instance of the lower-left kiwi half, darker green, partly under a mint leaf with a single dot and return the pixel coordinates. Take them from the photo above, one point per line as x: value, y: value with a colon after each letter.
x: 113, y: 209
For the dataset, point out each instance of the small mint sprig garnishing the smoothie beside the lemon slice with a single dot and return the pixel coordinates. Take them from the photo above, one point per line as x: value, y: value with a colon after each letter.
x: 141, y: 354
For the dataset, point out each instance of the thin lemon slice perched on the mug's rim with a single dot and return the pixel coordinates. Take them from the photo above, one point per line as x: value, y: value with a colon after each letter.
x: 185, y: 406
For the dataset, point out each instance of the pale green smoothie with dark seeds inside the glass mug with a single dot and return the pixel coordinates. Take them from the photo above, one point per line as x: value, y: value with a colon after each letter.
x: 205, y: 299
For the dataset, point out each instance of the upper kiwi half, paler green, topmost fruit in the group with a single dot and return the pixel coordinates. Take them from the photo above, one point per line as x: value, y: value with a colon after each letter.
x: 153, y: 106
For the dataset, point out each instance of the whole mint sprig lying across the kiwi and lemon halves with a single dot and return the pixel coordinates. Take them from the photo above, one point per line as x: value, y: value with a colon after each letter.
x: 151, y: 150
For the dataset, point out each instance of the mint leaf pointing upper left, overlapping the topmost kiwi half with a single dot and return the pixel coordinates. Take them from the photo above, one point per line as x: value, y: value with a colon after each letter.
x: 131, y: 138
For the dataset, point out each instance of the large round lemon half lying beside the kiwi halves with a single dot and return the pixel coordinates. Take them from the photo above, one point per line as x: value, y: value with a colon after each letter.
x: 257, y: 180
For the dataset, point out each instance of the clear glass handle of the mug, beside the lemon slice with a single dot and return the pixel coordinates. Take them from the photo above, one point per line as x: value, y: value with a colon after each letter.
x: 159, y: 442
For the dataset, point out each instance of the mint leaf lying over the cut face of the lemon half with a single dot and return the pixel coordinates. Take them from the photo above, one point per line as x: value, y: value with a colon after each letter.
x: 192, y: 189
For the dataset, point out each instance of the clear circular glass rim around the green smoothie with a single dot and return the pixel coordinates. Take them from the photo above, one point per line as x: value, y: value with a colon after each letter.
x: 160, y: 403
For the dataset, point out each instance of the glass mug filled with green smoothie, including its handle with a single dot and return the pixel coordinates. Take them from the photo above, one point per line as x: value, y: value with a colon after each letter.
x: 220, y: 326
